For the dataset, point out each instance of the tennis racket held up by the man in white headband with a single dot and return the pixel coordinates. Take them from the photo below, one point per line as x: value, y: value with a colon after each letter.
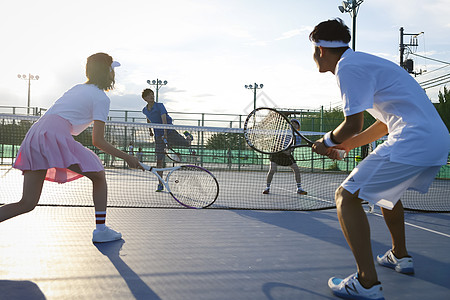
x: 268, y: 131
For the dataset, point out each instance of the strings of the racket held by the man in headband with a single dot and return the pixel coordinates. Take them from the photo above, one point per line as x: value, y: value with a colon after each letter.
x: 269, y: 131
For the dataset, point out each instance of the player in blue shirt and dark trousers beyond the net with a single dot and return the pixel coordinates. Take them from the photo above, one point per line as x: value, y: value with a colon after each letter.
x: 157, y: 113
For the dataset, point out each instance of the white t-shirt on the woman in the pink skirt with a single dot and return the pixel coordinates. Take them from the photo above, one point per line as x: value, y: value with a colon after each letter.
x: 81, y: 105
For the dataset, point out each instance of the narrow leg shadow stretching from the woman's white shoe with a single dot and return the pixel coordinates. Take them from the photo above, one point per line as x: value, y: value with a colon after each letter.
x: 137, y: 286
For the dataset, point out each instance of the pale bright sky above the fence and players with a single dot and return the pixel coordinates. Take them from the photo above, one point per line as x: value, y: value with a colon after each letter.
x: 207, y: 50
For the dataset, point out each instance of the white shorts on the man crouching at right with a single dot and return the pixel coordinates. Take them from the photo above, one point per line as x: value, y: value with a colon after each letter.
x: 382, y: 182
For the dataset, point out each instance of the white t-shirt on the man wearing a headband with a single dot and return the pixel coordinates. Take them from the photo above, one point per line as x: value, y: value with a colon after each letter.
x: 417, y: 135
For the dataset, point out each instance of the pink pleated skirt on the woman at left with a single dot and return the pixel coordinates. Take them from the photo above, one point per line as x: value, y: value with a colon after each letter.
x: 50, y: 146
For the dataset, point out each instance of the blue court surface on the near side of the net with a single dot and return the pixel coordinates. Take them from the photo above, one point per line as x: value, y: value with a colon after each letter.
x: 207, y: 254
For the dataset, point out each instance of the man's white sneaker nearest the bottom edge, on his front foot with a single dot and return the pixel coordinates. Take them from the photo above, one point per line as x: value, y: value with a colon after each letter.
x: 350, y: 288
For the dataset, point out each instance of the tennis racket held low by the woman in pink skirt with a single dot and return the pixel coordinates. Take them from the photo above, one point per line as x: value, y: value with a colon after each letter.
x: 191, y: 186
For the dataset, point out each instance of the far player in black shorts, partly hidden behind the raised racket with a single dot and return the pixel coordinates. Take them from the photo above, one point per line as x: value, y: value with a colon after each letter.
x: 285, y: 158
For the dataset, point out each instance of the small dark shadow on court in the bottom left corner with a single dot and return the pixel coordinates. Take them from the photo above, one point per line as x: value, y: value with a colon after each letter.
x: 19, y: 290
